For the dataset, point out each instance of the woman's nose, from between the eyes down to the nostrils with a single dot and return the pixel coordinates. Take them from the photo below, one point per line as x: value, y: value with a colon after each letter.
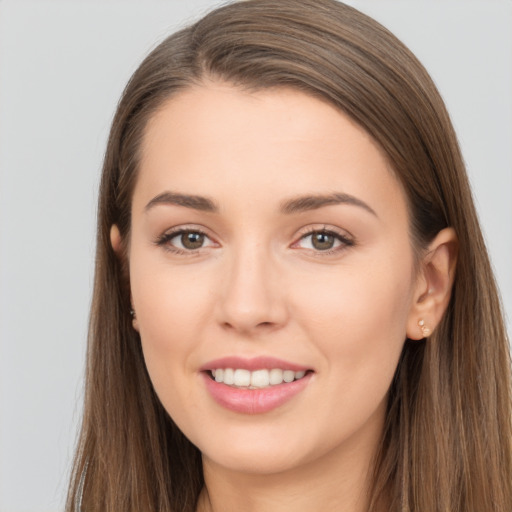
x: 252, y: 295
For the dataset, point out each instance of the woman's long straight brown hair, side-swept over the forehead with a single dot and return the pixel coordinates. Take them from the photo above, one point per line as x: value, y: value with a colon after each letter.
x: 446, y: 446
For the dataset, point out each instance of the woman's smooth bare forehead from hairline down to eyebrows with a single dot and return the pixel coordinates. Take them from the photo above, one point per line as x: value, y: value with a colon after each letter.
x: 220, y: 140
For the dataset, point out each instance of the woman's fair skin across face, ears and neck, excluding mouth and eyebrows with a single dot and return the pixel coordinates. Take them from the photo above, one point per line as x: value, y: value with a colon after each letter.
x: 259, y: 287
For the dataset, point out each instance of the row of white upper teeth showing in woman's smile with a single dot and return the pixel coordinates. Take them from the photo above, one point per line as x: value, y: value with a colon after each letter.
x: 241, y: 378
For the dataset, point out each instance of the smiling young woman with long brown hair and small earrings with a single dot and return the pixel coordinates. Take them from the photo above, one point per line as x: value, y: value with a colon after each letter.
x: 293, y: 303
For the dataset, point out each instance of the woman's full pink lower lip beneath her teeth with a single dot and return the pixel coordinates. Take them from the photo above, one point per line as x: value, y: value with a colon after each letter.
x: 254, y: 401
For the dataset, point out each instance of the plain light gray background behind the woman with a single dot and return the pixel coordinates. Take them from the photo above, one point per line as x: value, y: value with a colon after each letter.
x: 62, y: 68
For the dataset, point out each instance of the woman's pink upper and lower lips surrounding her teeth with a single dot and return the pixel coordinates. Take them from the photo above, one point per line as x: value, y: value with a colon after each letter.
x: 253, y: 401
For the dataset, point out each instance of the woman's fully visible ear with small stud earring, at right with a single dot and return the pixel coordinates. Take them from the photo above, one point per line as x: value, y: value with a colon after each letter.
x: 434, y: 285
